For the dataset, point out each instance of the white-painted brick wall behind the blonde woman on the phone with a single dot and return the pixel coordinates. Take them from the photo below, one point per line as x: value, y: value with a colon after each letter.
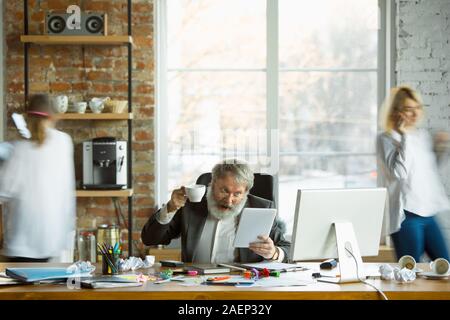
x: 423, y: 61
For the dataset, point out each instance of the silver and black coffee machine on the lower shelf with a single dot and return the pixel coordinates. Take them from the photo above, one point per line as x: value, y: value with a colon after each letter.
x: 105, y: 164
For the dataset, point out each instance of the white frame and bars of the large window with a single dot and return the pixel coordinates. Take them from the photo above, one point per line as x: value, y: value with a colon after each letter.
x: 385, y: 75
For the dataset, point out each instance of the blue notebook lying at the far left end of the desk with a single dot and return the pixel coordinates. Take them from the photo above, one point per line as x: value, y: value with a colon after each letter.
x: 40, y: 274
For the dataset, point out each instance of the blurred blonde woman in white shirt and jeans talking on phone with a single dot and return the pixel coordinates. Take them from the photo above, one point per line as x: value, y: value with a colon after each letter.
x: 408, y: 159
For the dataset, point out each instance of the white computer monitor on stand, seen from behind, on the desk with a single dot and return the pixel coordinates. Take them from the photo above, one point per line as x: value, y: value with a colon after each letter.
x: 338, y: 223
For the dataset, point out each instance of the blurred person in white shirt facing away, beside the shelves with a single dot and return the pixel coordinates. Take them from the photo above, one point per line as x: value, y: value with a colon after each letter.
x: 38, y: 183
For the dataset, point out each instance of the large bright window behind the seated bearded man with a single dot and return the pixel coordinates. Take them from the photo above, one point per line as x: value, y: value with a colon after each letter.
x: 291, y: 86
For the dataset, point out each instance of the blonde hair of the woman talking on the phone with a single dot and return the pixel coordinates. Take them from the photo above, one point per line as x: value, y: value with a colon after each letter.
x: 394, y: 103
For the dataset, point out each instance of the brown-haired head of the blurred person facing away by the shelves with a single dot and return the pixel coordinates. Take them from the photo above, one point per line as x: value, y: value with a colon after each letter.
x: 39, y: 112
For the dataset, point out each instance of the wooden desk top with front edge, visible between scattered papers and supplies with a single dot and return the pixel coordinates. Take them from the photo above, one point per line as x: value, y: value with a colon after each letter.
x: 421, y: 288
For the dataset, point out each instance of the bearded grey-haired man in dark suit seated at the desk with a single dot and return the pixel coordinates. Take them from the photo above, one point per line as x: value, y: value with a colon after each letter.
x: 208, y: 228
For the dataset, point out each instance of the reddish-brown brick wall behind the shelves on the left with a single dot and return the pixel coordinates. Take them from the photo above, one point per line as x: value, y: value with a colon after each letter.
x: 86, y: 72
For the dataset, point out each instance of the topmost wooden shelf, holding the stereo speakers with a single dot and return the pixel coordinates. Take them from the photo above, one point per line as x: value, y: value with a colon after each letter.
x: 76, y: 40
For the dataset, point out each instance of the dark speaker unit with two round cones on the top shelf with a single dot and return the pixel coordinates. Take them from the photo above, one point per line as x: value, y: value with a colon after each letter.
x: 90, y: 24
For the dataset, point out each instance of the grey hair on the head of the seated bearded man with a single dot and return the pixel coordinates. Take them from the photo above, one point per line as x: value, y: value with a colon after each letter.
x: 238, y: 168
